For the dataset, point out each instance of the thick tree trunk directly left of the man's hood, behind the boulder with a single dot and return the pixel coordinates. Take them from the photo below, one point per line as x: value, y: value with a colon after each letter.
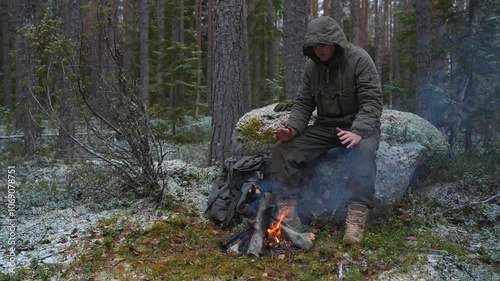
x: 295, y: 29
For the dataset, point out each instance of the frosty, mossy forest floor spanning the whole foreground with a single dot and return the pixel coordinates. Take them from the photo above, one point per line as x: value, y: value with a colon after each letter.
x: 72, y: 225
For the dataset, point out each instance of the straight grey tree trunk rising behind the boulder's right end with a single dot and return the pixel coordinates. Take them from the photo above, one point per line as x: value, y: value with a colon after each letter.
x: 423, y: 60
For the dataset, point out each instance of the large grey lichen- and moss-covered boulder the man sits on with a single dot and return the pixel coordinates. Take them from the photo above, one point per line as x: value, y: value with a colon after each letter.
x: 407, y: 141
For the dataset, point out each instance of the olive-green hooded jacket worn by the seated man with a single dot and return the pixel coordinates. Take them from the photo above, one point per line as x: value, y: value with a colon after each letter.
x: 346, y: 90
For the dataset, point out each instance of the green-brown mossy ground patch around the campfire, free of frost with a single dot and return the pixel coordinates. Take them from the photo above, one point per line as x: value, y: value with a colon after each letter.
x: 187, y: 248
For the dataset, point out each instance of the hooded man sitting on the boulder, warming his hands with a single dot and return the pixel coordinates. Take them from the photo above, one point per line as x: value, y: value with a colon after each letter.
x: 340, y: 81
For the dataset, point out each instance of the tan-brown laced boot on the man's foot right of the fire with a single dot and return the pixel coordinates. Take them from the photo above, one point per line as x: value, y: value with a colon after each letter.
x: 355, y: 223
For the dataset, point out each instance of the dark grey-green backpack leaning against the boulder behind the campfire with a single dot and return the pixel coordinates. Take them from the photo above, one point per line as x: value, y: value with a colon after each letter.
x: 236, y: 189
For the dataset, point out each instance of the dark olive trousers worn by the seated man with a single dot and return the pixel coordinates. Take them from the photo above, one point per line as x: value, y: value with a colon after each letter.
x: 291, y: 157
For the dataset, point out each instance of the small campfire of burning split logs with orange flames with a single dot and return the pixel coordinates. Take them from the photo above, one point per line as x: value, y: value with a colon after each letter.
x: 266, y: 234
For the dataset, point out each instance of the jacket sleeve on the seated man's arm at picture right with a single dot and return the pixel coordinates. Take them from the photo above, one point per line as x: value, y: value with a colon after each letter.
x: 369, y: 97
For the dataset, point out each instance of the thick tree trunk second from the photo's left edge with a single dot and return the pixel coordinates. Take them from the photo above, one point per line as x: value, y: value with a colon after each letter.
x: 28, y: 110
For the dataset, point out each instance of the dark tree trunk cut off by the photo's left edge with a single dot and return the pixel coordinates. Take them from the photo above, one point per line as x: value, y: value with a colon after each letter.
x: 6, y: 66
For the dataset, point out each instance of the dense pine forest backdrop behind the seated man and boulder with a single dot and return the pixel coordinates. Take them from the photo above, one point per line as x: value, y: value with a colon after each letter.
x: 119, y: 64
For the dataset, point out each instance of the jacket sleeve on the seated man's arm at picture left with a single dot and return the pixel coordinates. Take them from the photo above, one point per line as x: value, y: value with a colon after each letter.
x: 305, y: 102
